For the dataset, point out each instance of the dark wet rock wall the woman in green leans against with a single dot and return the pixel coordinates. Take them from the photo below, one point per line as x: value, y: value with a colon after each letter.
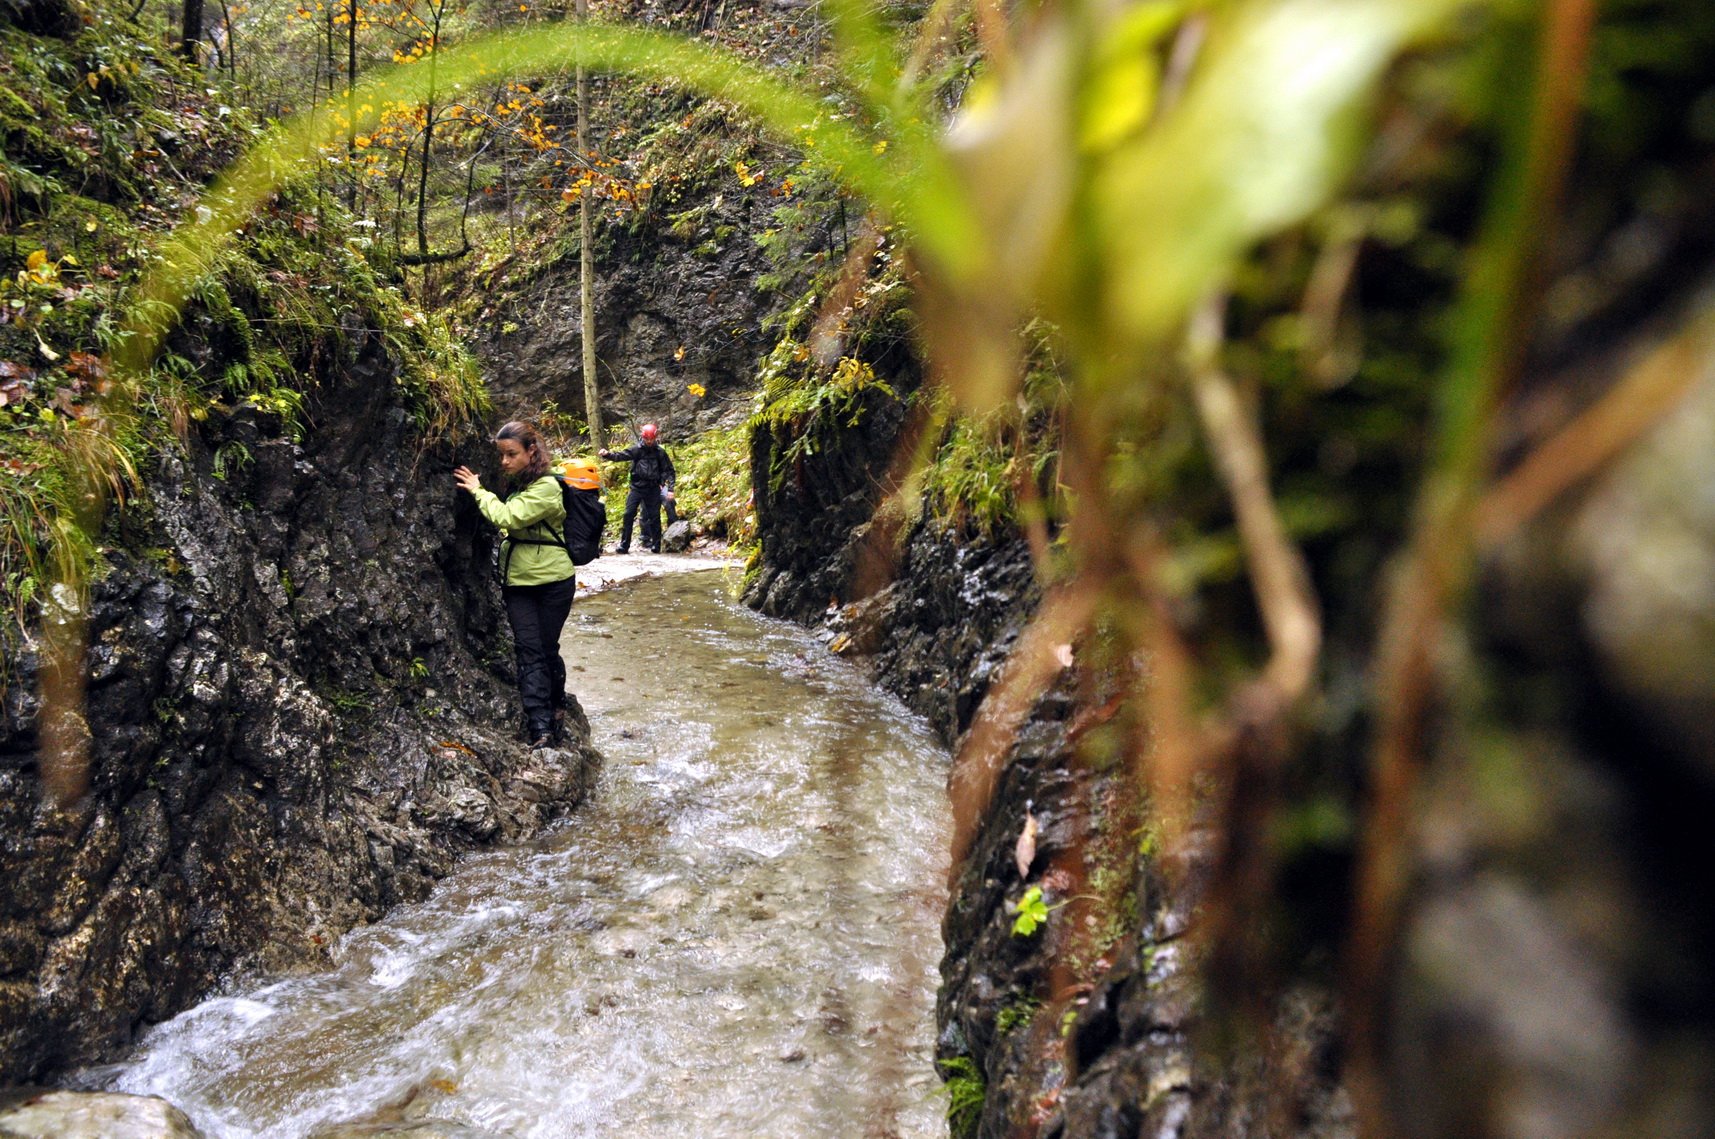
x: 301, y: 711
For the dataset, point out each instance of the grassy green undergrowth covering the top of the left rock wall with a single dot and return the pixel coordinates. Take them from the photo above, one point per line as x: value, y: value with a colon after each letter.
x: 107, y: 145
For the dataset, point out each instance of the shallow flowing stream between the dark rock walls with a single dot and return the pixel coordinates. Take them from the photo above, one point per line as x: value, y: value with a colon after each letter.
x: 737, y: 936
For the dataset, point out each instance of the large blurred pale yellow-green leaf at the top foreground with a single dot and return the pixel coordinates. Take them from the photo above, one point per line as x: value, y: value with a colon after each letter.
x: 1263, y: 136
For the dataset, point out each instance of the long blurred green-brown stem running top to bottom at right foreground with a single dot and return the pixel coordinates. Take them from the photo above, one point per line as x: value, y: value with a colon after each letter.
x: 1491, y: 337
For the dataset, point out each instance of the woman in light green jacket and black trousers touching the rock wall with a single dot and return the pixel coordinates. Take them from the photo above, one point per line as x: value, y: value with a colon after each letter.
x: 538, y: 574
